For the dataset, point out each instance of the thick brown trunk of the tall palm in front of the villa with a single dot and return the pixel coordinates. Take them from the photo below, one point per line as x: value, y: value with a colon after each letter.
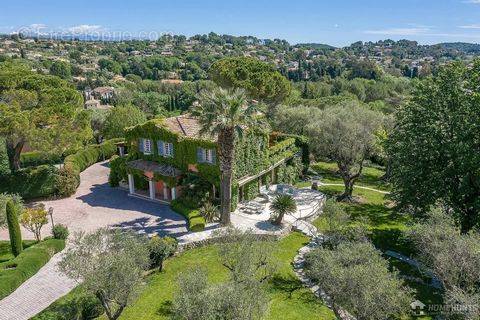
x: 226, y: 144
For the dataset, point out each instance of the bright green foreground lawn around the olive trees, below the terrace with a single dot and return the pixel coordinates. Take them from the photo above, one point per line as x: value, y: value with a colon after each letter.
x: 288, y: 298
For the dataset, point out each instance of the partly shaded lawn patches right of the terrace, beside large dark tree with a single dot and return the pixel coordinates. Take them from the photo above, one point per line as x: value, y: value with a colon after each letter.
x: 387, y: 228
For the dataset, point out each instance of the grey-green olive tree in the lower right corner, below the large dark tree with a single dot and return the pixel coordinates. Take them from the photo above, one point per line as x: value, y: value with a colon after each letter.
x: 454, y: 259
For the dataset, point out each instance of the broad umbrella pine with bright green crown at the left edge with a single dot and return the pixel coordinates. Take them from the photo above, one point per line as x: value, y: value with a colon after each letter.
x: 45, y: 111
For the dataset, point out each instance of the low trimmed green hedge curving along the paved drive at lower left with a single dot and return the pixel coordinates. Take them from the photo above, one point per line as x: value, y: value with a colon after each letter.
x: 16, y: 271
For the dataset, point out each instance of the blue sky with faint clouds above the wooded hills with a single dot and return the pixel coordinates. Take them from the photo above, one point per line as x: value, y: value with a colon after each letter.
x: 336, y: 22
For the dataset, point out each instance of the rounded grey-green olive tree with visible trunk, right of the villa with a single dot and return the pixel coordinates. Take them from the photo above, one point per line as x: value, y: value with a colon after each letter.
x: 345, y: 133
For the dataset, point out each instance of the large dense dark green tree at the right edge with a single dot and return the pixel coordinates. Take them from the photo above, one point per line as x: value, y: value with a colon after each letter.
x: 435, y: 142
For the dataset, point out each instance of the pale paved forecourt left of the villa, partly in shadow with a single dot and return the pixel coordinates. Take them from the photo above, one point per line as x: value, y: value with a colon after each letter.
x: 95, y: 204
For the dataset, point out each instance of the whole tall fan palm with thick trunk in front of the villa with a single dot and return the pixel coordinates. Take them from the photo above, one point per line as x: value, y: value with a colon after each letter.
x: 225, y: 113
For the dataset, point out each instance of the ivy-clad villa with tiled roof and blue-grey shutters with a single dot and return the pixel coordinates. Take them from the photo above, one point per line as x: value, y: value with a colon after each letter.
x: 163, y: 151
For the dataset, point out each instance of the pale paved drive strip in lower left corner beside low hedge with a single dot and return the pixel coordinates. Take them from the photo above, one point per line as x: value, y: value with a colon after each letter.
x: 37, y: 293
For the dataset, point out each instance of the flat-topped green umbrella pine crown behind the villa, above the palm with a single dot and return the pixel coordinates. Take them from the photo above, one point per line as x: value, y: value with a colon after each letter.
x: 259, y: 79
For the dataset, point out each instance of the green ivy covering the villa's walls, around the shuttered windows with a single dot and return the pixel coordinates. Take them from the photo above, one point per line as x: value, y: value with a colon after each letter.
x: 255, y: 150
